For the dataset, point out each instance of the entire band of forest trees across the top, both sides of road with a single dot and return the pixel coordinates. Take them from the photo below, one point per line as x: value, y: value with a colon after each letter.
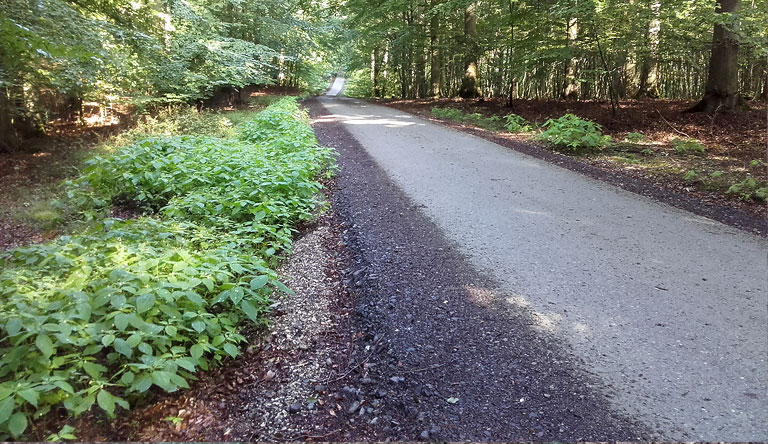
x: 56, y: 55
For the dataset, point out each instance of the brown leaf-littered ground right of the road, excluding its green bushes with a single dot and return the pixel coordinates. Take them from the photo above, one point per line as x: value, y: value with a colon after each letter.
x: 736, y: 143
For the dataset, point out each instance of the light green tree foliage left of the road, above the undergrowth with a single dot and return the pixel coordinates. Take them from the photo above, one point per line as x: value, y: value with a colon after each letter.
x: 57, y: 54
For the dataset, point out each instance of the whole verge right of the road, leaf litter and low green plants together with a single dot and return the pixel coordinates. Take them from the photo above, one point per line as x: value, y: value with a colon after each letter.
x: 720, y: 155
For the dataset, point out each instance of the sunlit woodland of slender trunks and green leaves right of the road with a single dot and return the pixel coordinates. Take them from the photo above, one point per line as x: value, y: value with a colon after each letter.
x: 576, y: 49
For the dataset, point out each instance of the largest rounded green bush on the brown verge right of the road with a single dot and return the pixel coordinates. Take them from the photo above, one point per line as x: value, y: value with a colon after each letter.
x: 569, y: 131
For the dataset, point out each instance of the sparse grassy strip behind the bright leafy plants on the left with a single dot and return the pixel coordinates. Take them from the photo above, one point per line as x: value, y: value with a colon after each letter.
x: 34, y: 206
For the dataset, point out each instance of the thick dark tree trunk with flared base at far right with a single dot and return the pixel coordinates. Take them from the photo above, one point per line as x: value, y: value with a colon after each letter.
x: 722, y: 88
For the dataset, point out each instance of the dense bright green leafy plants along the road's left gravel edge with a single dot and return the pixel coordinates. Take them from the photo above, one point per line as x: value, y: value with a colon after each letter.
x: 104, y: 316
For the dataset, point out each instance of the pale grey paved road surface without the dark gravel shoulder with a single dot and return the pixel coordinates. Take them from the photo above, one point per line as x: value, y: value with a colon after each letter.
x: 668, y: 309
